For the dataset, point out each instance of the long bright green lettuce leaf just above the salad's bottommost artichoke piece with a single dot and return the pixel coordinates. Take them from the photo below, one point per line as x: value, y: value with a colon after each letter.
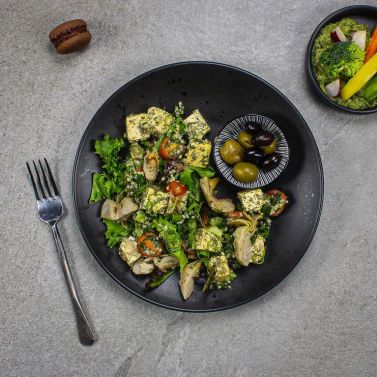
x: 168, y: 232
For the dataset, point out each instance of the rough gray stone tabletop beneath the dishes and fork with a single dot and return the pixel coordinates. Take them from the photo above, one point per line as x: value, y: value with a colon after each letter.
x: 320, y: 321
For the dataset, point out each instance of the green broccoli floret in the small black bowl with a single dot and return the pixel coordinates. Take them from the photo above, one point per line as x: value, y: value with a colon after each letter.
x: 342, y: 60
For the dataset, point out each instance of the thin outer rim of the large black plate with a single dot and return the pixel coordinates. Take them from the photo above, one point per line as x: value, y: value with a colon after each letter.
x: 75, y: 170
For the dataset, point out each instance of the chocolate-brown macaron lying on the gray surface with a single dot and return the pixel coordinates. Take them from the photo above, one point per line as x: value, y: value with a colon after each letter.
x: 70, y: 36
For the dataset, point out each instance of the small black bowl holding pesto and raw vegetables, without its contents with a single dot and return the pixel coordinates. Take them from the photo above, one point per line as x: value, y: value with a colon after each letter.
x: 365, y: 14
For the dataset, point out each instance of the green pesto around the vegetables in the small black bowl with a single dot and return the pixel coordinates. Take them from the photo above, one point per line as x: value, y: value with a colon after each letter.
x: 322, y: 43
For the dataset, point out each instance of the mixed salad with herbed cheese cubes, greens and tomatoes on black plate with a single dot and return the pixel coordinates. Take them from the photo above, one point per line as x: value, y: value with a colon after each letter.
x: 161, y: 208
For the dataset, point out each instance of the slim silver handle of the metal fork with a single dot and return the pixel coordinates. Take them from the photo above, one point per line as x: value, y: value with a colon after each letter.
x: 86, y: 333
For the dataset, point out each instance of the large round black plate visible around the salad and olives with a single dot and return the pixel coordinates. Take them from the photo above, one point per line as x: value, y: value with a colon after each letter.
x: 221, y: 93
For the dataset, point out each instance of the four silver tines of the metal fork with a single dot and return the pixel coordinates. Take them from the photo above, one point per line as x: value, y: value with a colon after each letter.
x: 48, y: 185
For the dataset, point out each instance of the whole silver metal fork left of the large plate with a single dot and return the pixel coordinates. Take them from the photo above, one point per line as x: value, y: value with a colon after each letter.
x: 50, y: 210
